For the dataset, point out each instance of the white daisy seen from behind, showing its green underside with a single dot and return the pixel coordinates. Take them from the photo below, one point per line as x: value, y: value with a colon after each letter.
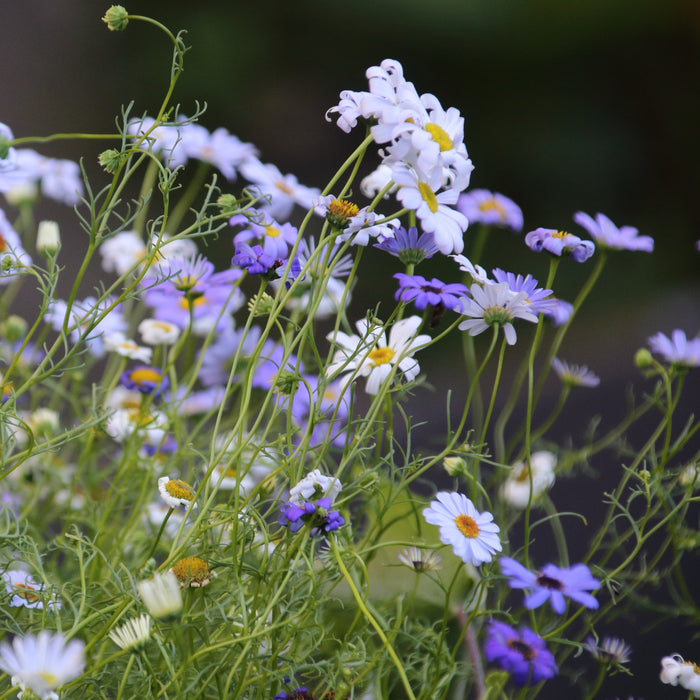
x: 493, y: 304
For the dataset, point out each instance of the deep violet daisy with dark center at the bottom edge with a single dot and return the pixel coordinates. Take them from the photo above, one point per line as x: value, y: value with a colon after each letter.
x: 522, y: 653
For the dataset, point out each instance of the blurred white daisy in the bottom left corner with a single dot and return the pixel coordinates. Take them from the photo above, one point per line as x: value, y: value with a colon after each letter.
x: 43, y: 662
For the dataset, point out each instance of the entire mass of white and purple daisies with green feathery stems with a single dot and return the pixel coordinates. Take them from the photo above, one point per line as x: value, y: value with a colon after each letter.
x: 243, y: 506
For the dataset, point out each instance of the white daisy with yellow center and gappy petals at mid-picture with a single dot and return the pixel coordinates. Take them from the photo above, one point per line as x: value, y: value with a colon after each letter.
x: 370, y: 355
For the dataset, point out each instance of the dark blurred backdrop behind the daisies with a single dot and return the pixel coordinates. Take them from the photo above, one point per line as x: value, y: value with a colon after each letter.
x: 569, y: 106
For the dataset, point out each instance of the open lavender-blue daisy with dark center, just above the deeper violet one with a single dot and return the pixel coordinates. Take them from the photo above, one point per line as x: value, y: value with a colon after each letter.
x: 553, y: 584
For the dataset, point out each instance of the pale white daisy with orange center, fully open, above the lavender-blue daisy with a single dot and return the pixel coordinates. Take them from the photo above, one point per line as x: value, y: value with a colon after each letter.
x: 472, y: 535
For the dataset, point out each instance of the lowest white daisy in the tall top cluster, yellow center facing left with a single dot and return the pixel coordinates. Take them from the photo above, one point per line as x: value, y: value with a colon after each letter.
x: 420, y: 194
